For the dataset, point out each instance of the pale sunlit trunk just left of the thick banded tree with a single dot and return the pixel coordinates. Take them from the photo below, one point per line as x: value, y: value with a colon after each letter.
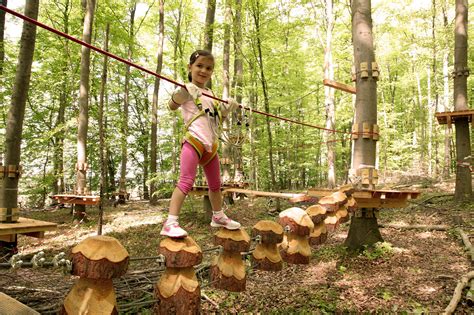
x: 329, y: 96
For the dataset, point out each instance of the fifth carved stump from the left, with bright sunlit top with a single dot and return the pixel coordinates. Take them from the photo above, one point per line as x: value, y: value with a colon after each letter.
x: 295, y: 247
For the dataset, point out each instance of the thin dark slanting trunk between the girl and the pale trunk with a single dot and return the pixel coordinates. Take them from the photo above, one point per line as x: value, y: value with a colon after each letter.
x: 256, y: 16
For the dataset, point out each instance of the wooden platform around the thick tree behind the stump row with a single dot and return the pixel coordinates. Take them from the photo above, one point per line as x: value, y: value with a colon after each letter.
x: 373, y: 198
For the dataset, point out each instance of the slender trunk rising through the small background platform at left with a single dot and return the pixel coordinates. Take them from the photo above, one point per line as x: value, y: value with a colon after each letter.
x: 83, y: 120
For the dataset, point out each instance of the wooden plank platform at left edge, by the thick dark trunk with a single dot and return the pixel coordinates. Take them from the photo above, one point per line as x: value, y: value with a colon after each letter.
x: 25, y: 226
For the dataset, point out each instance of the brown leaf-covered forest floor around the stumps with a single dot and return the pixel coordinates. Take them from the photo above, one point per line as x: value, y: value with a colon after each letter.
x: 413, y: 271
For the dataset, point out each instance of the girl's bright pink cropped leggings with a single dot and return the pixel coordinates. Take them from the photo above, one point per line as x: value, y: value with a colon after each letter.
x: 189, y: 161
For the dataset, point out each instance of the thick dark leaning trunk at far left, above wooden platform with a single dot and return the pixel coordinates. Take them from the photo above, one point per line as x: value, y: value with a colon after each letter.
x: 16, y: 114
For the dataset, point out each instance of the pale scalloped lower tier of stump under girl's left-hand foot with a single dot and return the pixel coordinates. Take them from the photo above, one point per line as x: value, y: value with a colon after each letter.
x: 177, y: 278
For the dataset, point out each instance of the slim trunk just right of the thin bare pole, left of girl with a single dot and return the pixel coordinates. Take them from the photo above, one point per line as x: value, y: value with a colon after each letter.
x: 123, y: 168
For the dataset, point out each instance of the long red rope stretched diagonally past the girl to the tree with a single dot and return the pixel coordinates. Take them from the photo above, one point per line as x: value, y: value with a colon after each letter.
x: 128, y: 62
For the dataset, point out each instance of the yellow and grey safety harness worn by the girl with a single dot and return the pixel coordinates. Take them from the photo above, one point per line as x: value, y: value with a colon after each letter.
x: 204, y: 156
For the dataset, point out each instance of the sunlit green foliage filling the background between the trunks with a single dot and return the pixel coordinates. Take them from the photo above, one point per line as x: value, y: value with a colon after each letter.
x: 413, y: 47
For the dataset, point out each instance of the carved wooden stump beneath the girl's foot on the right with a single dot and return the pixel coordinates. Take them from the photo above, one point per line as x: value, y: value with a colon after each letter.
x: 228, y: 269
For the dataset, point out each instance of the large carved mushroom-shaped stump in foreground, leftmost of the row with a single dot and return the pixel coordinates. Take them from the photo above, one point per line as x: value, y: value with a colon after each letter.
x: 97, y: 260
